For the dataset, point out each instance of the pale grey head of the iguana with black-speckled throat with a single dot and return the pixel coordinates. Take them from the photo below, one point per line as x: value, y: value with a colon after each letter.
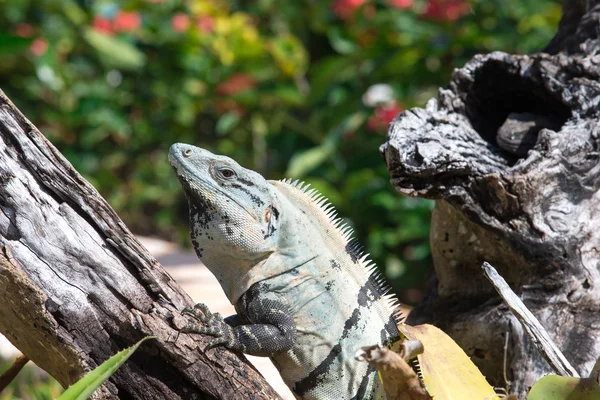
x: 233, y: 211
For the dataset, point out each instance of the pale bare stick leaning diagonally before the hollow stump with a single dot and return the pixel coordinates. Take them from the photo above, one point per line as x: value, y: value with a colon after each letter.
x: 533, y: 328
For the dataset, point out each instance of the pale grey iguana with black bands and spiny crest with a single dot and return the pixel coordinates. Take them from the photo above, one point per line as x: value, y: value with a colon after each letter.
x: 305, y: 294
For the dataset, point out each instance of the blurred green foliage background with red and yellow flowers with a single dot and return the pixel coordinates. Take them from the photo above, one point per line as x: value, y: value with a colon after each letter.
x: 301, y: 89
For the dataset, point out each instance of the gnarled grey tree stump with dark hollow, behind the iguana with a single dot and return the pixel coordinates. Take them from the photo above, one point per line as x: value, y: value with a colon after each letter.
x: 511, y: 156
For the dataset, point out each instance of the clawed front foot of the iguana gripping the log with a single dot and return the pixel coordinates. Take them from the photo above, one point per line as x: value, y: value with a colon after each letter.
x: 212, y: 325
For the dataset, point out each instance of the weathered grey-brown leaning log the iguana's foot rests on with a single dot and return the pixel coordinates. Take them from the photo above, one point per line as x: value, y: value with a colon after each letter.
x: 78, y: 287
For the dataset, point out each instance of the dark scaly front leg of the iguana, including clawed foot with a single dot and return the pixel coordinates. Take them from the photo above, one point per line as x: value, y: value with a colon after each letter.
x: 266, y: 328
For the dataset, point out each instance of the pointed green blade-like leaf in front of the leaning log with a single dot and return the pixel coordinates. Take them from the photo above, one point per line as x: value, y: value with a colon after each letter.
x: 83, y: 388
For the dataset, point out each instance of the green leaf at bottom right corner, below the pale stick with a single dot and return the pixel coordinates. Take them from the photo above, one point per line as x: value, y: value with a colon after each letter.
x: 554, y: 387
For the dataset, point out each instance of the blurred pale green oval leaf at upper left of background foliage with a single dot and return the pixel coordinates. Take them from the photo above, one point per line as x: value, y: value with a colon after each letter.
x: 115, y: 52
